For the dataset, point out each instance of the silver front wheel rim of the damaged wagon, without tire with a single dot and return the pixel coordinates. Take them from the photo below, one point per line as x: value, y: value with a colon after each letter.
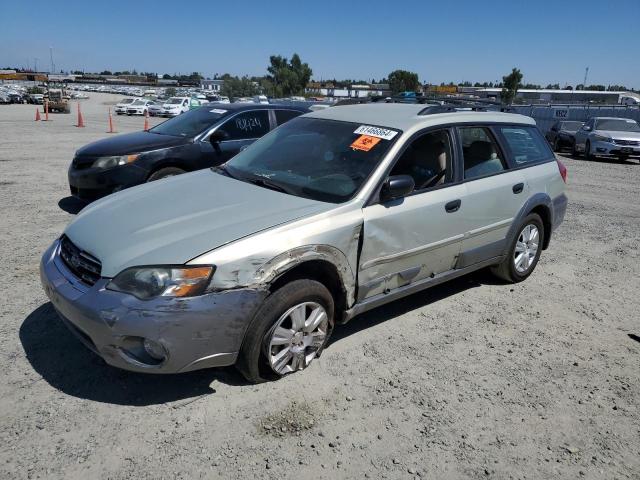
x: 297, y: 336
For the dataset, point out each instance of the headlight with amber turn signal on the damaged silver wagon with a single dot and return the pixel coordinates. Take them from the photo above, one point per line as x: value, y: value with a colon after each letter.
x: 149, y: 282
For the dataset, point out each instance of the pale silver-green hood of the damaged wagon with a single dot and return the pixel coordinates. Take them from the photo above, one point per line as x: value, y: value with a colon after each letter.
x: 174, y: 220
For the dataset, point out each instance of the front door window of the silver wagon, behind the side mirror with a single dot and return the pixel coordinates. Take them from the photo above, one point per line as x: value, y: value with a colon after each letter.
x: 427, y: 159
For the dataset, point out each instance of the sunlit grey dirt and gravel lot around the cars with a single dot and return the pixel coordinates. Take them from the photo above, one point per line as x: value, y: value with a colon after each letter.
x: 473, y: 379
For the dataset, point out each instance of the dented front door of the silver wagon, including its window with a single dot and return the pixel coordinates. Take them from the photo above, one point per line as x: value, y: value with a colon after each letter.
x: 420, y: 235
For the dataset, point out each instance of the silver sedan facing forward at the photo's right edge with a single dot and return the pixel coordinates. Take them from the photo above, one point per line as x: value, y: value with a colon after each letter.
x: 608, y: 136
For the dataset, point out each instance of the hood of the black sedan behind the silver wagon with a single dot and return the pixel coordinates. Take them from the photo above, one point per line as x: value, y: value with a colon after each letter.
x: 131, y: 143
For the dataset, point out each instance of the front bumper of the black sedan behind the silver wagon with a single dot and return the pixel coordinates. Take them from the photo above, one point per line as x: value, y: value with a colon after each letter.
x: 91, y: 183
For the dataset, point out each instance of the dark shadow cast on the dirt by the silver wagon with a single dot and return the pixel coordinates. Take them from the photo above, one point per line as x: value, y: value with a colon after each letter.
x: 70, y: 367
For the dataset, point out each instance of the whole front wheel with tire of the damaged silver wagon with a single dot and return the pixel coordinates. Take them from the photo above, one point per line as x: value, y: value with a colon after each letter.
x: 288, y: 332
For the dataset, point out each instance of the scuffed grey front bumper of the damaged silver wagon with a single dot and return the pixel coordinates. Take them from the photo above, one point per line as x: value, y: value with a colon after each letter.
x: 195, y: 333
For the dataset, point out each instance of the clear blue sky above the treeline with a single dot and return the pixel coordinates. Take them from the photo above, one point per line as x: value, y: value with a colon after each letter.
x: 550, y: 41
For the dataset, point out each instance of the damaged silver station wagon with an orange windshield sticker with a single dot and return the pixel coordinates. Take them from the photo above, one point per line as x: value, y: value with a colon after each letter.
x: 255, y: 262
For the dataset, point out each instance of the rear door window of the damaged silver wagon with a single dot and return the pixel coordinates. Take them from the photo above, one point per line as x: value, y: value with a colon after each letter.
x: 481, y: 153
